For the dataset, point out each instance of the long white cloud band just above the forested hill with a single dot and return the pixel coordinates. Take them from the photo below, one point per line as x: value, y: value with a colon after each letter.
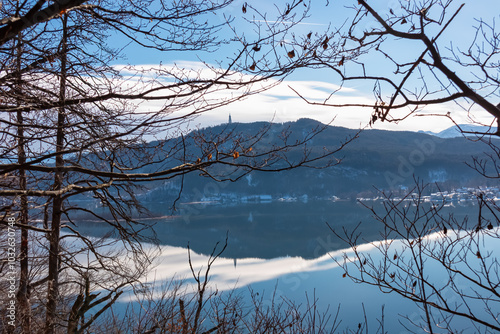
x: 281, y: 103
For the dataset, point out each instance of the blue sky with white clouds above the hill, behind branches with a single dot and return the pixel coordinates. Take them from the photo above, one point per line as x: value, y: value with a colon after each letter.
x: 281, y: 103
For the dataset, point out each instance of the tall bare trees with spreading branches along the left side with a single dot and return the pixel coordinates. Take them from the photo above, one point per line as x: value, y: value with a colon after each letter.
x: 73, y: 129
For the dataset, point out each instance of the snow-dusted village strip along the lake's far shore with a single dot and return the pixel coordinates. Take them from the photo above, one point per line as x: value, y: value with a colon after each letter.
x: 461, y: 196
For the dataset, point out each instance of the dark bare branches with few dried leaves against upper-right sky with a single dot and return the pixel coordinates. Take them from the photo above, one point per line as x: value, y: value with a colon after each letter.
x: 405, y: 52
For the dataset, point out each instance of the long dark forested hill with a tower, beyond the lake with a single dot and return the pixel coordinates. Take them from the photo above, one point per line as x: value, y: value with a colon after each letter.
x: 386, y: 160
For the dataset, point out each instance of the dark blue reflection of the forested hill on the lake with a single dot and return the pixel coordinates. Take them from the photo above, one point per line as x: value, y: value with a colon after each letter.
x: 264, y: 230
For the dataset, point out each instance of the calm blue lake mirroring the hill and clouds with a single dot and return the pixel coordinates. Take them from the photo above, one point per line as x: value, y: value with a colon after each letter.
x: 280, y: 248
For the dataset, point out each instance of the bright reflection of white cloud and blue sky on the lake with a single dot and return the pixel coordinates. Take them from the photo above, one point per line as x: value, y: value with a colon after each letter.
x: 299, y: 280
